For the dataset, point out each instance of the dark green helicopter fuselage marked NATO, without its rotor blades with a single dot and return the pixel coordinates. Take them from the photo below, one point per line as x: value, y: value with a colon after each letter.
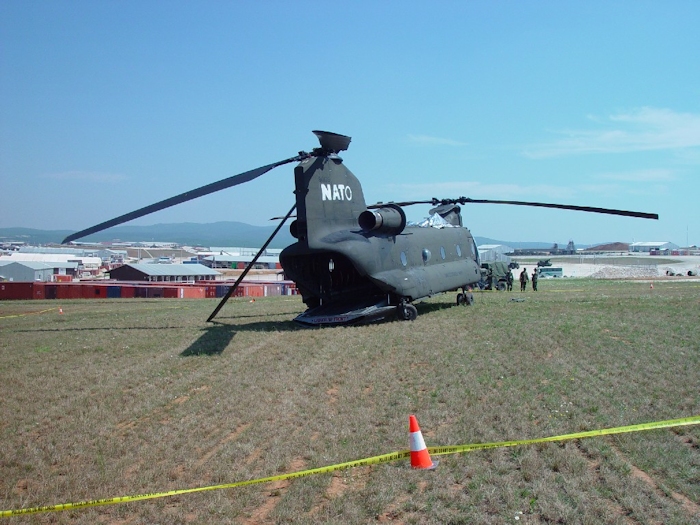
x: 348, y: 259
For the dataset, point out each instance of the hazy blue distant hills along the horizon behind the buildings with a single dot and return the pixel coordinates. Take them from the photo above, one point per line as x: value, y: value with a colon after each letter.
x: 225, y: 233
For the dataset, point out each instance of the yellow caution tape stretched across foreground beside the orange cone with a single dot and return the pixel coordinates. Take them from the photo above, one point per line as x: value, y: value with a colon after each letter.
x: 385, y: 458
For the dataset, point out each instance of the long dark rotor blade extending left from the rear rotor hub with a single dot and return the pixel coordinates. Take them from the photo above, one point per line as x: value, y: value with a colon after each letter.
x: 184, y: 197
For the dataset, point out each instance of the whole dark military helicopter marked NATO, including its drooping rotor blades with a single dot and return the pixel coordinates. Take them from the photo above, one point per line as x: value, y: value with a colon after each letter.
x: 354, y: 263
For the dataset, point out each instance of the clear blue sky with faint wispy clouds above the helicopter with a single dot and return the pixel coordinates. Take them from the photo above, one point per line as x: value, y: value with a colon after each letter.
x: 108, y: 106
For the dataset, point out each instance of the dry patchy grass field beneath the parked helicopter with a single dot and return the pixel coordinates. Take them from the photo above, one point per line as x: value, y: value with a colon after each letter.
x: 121, y: 397
